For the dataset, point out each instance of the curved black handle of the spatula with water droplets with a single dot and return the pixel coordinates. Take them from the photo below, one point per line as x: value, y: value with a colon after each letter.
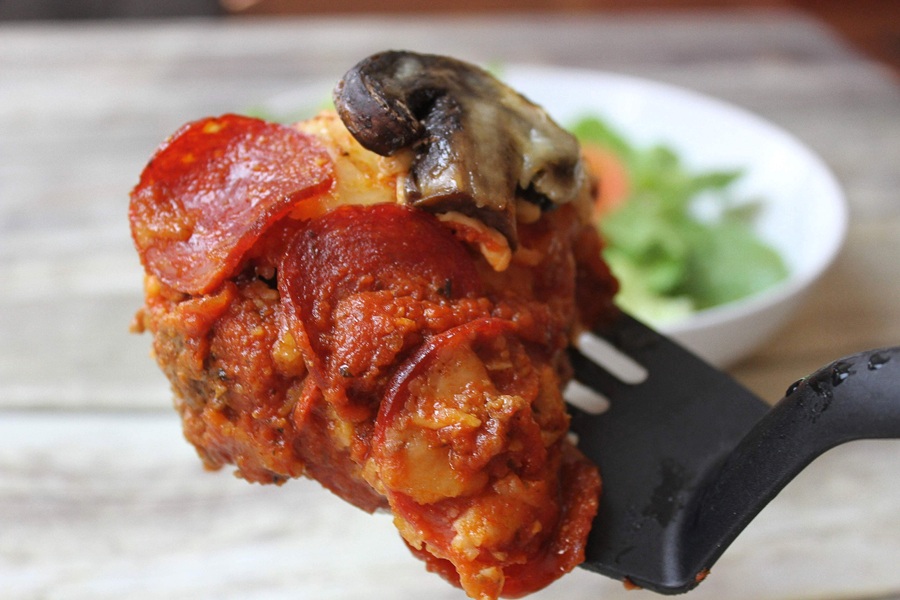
x: 857, y: 397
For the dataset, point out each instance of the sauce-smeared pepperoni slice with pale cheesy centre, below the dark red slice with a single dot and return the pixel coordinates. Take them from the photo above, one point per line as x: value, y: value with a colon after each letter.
x: 451, y: 409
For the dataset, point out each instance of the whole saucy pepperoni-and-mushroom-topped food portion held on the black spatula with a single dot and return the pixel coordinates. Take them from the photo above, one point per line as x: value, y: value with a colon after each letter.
x: 380, y: 298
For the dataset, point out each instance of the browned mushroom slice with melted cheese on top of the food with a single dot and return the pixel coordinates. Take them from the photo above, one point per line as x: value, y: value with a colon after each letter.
x: 478, y: 145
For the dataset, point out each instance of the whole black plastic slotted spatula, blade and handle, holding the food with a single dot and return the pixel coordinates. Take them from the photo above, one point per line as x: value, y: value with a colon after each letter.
x: 689, y: 457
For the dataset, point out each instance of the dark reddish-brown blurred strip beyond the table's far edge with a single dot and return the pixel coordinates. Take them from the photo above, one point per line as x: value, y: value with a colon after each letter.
x: 873, y: 26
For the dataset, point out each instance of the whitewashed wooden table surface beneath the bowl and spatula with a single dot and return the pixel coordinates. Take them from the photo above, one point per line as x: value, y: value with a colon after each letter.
x: 99, y: 495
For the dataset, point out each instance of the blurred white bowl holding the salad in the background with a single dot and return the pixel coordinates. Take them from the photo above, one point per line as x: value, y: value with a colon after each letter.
x: 804, y: 212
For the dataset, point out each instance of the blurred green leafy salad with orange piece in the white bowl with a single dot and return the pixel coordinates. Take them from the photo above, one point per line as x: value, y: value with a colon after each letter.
x: 672, y: 258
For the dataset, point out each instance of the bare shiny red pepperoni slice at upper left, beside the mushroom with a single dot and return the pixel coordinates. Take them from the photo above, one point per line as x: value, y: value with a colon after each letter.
x: 212, y: 189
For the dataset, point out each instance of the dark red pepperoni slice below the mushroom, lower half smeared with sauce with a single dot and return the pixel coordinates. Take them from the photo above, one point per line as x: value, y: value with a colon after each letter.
x: 402, y: 257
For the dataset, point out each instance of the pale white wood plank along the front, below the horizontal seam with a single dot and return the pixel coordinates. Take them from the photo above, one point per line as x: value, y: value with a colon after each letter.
x: 96, y: 506
